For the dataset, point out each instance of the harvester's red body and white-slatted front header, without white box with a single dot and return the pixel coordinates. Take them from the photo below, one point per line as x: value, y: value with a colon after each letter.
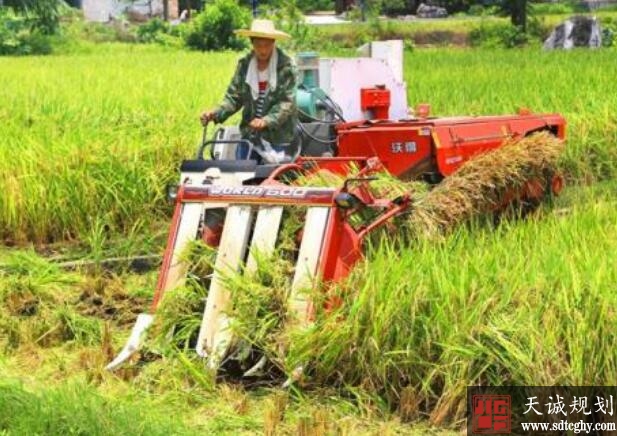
x: 253, y: 197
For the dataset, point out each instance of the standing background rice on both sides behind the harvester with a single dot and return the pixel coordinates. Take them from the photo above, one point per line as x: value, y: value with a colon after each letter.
x: 90, y: 141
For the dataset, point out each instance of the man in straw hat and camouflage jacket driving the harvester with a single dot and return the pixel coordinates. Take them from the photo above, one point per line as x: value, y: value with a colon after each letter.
x: 264, y: 85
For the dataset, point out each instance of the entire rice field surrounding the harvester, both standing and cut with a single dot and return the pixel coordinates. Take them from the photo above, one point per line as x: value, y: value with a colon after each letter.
x: 88, y: 143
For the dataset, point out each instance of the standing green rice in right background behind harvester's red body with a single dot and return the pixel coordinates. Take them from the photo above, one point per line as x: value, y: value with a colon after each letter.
x: 465, y: 82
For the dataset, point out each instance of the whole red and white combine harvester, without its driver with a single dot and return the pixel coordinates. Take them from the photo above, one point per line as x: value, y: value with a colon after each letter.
x: 237, y: 205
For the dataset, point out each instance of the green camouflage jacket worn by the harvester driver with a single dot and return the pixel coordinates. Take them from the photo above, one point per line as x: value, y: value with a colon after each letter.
x: 279, y: 103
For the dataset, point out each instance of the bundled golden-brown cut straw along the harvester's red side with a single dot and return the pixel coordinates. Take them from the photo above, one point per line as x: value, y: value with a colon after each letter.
x: 480, y: 184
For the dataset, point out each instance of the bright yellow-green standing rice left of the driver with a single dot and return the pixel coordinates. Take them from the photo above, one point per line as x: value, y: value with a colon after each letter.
x: 82, y: 146
